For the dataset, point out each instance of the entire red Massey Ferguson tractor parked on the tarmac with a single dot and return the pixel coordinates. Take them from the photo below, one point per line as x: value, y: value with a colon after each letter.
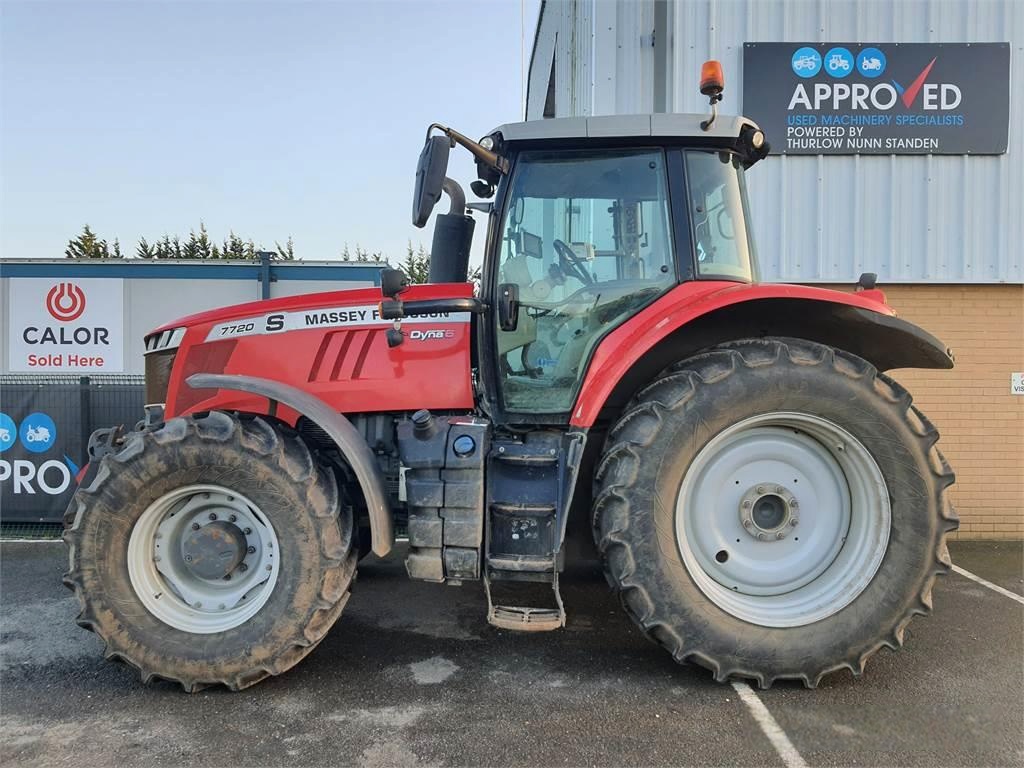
x: 766, y: 501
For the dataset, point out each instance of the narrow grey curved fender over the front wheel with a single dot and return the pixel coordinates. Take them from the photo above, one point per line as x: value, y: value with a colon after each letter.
x: 352, y: 445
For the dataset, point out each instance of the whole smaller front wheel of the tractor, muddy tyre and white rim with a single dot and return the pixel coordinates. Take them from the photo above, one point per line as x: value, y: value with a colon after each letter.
x: 212, y: 550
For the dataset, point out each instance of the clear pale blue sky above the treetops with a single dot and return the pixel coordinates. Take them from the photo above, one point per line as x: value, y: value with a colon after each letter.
x: 273, y: 119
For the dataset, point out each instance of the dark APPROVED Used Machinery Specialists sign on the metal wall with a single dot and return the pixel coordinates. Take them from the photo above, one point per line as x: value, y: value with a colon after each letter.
x: 879, y: 99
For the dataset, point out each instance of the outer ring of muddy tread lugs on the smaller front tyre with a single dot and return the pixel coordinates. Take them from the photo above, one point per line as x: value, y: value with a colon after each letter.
x: 279, y: 450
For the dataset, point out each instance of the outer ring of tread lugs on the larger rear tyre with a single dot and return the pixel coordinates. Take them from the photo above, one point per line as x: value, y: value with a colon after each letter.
x: 633, y: 434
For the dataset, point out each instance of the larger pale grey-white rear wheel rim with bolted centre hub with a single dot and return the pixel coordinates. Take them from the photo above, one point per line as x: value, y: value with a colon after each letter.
x: 783, y: 520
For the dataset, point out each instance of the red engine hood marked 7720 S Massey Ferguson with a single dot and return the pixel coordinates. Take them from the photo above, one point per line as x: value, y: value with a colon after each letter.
x: 332, y: 346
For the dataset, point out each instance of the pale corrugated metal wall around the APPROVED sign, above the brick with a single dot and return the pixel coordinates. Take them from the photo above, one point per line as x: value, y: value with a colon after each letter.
x: 910, y: 219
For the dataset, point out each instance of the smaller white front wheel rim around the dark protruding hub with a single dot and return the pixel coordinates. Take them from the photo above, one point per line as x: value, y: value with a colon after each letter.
x: 167, y: 586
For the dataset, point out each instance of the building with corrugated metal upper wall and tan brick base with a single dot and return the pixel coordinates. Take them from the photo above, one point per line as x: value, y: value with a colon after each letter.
x: 944, y: 232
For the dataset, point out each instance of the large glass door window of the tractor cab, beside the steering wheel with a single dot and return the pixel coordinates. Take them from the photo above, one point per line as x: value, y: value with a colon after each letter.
x: 587, y: 241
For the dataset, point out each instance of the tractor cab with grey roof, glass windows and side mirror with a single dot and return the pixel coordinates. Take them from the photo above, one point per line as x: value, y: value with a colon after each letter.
x: 592, y: 220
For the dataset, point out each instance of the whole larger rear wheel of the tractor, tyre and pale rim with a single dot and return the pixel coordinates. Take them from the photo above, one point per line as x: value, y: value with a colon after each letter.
x: 774, y: 509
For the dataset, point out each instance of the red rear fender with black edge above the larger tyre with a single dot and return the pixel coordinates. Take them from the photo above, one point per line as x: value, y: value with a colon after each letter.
x: 698, y: 316
